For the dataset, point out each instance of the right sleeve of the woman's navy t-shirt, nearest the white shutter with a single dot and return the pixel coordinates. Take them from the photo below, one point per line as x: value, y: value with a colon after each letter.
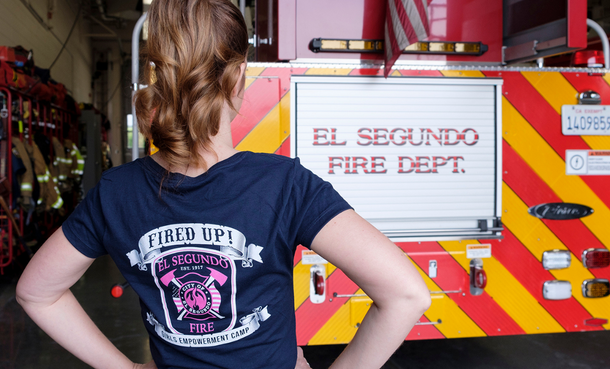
x: 314, y: 203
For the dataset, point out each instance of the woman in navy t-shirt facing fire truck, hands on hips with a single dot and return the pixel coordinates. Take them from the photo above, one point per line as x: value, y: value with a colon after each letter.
x: 205, y: 234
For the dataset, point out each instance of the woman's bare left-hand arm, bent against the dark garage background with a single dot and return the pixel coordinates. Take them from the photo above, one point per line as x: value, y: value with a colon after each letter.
x: 44, y: 293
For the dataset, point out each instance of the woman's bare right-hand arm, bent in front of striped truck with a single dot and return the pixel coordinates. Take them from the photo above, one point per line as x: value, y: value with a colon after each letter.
x: 383, y: 271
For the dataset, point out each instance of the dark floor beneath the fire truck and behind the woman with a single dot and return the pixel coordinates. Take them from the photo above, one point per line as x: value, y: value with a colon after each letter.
x: 24, y: 346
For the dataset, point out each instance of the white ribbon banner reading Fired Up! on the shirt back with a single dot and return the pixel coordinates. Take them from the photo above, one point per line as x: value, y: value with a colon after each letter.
x: 230, y: 241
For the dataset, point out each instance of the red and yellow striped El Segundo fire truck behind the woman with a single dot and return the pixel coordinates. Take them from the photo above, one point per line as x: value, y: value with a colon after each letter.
x: 484, y: 155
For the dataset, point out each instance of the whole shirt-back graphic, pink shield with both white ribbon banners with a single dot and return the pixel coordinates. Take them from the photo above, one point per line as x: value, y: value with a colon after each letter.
x: 193, y: 265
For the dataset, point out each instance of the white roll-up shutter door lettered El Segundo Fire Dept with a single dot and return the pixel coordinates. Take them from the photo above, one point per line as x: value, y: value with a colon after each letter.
x: 417, y: 157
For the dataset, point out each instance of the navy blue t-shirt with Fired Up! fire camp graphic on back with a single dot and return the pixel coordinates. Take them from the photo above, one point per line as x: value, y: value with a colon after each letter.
x: 211, y: 257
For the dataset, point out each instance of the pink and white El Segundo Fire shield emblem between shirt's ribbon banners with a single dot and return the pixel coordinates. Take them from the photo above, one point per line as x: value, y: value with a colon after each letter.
x: 197, y: 290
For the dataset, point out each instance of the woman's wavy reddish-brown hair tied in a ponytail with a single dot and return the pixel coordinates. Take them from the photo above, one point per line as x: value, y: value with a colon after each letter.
x: 196, y: 48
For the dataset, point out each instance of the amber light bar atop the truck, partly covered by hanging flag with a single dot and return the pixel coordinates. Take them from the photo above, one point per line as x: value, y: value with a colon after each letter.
x: 376, y: 46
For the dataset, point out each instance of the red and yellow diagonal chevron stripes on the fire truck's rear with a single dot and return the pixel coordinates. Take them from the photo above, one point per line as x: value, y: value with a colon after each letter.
x: 533, y: 173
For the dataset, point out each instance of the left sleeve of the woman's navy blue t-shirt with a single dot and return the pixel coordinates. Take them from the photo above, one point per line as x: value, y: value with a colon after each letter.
x: 85, y: 227
